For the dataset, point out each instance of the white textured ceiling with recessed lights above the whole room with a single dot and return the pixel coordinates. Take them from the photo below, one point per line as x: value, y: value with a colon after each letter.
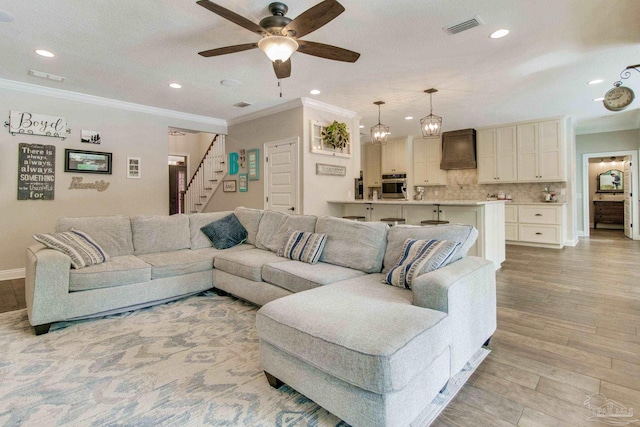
x: 130, y: 51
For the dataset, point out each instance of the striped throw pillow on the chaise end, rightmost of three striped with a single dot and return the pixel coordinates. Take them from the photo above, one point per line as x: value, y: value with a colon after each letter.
x: 418, y: 257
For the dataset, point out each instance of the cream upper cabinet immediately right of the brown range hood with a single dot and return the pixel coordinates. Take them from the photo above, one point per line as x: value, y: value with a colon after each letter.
x: 497, y: 155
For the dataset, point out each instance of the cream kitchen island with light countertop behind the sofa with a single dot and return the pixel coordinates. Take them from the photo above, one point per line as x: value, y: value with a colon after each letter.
x: 486, y: 216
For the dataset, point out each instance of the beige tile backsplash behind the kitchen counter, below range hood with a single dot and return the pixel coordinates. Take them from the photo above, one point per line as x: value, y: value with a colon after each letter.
x: 463, y: 185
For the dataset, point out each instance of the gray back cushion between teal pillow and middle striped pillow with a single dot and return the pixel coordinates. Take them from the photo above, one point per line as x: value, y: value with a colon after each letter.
x: 274, y: 226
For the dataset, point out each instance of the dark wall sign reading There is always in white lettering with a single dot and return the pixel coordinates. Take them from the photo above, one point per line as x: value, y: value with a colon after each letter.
x: 36, y: 171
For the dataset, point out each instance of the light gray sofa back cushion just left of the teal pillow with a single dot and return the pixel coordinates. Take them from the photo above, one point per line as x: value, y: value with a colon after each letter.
x: 160, y: 233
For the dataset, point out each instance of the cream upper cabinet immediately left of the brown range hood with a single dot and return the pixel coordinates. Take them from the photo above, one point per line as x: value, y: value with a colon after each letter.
x: 427, y: 154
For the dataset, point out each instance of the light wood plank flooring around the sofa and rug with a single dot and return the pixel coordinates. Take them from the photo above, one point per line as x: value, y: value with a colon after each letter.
x: 568, y: 327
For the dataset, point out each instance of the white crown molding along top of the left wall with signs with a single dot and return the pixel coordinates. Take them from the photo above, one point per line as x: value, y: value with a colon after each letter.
x: 107, y: 102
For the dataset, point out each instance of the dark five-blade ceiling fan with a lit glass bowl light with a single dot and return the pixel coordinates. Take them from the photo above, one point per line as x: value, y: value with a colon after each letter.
x: 281, y: 35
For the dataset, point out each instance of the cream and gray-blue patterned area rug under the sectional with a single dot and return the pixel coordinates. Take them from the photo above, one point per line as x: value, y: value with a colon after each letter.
x: 190, y: 362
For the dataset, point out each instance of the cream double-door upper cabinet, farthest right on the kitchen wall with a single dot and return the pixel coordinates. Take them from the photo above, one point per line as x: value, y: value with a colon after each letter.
x: 540, y: 148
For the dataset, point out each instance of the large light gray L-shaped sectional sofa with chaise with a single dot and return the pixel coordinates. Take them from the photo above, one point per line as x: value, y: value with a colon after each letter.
x: 360, y: 348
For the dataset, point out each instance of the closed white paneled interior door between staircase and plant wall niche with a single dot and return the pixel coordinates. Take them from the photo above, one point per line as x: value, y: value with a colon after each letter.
x: 281, y: 176
